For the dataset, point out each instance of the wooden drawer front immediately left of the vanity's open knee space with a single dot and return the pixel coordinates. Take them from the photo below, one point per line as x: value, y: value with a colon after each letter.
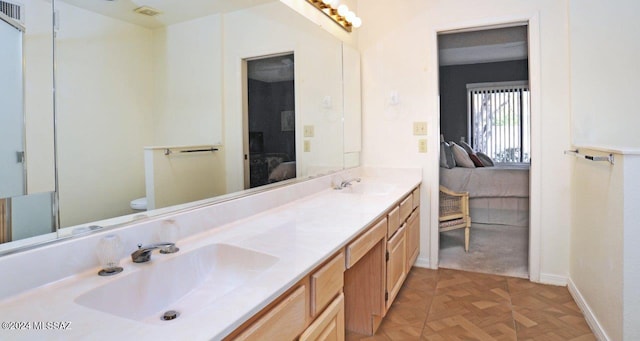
x: 326, y: 283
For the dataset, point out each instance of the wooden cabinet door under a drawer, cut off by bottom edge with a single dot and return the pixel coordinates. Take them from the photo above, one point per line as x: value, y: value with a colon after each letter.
x: 329, y: 326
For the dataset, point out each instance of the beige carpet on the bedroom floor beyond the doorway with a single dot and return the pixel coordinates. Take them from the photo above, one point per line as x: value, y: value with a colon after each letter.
x: 493, y: 249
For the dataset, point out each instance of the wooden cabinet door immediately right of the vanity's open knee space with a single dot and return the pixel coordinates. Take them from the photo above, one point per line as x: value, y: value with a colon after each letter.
x: 396, y: 264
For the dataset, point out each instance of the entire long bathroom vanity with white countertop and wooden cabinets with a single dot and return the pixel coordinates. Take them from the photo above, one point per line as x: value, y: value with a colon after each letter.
x: 324, y: 261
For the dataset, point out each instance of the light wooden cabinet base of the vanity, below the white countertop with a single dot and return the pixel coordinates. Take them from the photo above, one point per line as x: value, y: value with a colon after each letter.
x: 353, y: 289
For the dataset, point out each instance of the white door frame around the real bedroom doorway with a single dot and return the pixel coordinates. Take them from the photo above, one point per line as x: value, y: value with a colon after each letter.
x: 535, y: 174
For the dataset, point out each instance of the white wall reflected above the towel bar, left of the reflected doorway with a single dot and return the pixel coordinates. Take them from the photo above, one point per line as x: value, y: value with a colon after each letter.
x: 187, y: 107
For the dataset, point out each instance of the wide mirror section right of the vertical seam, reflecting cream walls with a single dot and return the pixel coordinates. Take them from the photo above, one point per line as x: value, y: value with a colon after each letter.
x: 130, y: 87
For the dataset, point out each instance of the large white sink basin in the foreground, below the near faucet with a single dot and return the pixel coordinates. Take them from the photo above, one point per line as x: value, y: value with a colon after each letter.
x: 184, y: 283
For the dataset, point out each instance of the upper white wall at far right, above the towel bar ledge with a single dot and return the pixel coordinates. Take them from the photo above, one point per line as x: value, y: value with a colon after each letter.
x: 605, y: 50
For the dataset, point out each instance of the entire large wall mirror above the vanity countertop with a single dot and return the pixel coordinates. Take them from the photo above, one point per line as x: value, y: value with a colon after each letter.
x: 162, y: 104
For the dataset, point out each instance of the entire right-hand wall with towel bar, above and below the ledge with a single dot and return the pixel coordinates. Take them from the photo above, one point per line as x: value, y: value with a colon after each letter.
x: 605, y: 50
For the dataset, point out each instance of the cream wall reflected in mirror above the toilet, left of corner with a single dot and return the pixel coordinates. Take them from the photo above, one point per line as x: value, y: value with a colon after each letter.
x: 104, y: 114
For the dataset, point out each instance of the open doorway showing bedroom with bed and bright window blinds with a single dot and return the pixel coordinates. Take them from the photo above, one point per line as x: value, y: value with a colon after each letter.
x: 484, y: 112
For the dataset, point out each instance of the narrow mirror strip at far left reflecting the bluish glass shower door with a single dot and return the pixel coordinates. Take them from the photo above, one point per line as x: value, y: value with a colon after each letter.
x: 26, y: 121
